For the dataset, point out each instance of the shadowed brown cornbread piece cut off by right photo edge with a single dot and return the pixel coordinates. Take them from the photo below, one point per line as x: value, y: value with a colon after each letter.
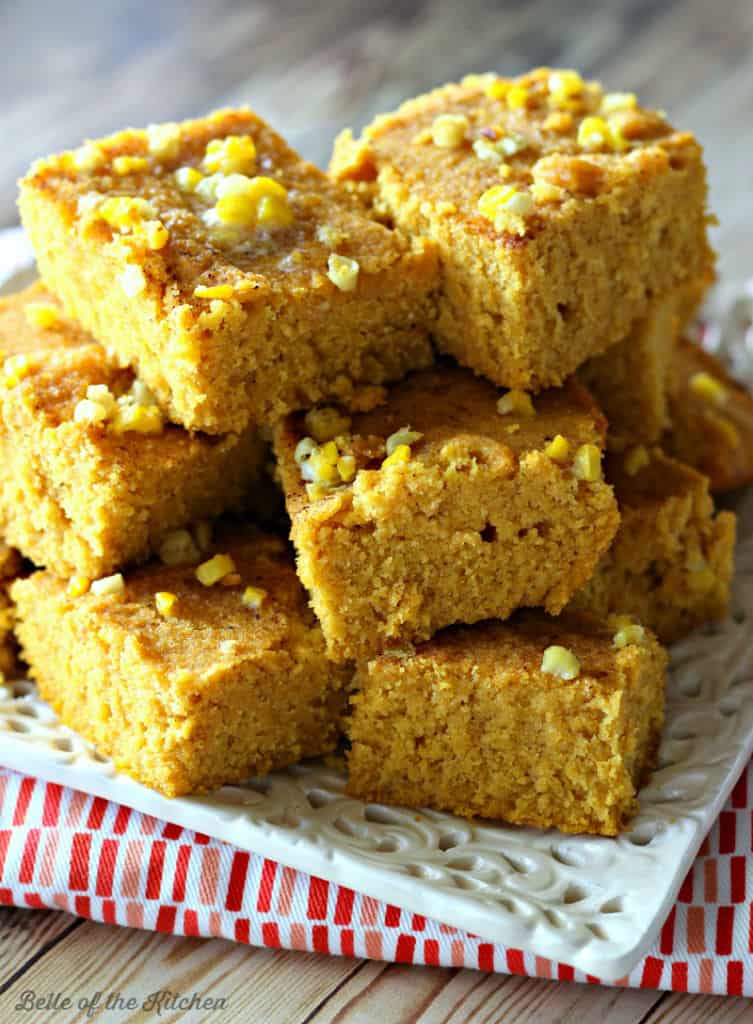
x: 712, y: 418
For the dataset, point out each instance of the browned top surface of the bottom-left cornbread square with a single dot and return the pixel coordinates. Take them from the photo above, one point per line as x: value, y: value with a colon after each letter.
x: 207, y: 626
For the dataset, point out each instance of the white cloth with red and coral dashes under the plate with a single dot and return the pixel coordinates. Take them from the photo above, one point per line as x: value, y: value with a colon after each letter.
x: 67, y: 850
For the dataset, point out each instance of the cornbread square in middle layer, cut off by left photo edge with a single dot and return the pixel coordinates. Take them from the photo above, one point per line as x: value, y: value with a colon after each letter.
x: 78, y: 496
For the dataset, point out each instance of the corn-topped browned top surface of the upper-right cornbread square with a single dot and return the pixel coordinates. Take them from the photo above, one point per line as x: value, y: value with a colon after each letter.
x: 535, y: 135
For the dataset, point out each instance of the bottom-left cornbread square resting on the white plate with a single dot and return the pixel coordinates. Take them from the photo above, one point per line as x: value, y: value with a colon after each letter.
x: 213, y: 691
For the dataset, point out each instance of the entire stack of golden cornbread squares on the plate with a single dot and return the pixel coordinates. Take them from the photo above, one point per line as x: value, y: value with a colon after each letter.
x: 465, y: 345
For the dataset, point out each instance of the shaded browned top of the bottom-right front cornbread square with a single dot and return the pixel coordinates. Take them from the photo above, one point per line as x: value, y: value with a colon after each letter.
x: 510, y: 655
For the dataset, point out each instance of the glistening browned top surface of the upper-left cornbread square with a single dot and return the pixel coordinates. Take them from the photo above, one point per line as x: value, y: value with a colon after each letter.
x: 257, y: 262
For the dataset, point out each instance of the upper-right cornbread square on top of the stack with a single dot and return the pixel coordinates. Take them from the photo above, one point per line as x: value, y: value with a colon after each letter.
x: 560, y: 212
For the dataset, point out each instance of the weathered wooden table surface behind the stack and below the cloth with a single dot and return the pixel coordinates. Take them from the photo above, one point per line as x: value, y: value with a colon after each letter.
x: 82, y: 69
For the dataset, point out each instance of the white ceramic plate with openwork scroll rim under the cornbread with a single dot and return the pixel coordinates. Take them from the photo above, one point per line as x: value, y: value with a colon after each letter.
x: 595, y: 904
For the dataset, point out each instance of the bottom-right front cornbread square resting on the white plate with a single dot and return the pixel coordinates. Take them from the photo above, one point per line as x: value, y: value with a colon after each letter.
x: 472, y: 723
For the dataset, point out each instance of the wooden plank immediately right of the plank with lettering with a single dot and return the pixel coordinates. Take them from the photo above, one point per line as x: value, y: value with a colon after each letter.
x: 428, y: 996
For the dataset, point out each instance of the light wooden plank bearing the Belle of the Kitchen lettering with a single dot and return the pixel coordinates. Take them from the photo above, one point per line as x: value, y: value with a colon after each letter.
x: 275, y: 987
